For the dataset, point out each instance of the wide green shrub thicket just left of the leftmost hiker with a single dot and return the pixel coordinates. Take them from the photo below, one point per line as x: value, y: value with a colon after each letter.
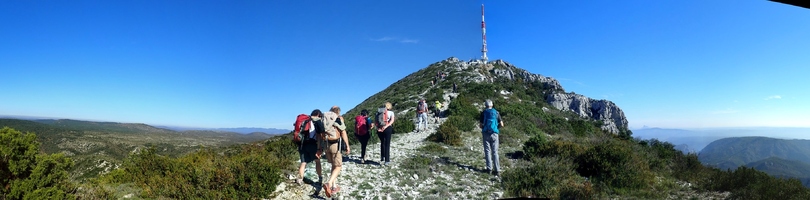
x: 240, y: 172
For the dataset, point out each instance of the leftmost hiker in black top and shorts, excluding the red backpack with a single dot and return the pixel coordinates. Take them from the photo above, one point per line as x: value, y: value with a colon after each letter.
x: 308, y: 150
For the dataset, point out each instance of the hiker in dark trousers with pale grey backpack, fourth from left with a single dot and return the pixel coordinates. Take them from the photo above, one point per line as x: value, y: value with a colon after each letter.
x: 385, y: 120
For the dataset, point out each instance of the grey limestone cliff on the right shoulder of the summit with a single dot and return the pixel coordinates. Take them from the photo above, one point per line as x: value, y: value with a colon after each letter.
x: 606, y: 111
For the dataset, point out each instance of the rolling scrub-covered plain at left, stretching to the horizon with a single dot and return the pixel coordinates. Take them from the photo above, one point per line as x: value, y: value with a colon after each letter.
x: 98, y: 147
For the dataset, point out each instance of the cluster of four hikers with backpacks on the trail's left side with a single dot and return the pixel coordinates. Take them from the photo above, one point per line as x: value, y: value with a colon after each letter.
x: 321, y: 133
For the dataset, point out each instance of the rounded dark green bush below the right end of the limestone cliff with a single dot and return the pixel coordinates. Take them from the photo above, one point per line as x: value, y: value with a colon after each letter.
x: 615, y: 163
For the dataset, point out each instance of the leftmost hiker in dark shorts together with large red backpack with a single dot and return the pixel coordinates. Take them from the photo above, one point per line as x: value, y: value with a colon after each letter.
x: 305, y: 135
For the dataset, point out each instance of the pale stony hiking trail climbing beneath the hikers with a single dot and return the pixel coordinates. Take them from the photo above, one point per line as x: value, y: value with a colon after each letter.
x: 456, y: 179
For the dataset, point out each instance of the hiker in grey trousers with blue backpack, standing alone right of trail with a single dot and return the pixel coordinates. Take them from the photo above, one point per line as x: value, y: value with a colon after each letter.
x: 490, y: 121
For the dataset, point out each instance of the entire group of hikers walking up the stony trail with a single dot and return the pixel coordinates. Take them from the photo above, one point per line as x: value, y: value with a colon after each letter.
x: 321, y: 133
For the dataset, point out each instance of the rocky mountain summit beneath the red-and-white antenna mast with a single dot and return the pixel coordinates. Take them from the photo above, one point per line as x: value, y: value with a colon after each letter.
x: 498, y: 80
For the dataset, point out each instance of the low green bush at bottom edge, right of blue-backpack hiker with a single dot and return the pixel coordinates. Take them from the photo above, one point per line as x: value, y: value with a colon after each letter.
x: 550, y: 177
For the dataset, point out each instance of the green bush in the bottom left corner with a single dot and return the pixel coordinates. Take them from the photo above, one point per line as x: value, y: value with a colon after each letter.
x: 27, y: 174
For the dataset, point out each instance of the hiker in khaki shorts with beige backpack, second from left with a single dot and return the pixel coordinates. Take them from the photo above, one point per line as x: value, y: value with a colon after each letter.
x: 335, y: 134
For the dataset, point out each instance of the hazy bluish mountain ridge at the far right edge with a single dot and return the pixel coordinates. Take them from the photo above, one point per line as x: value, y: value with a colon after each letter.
x: 730, y: 153
